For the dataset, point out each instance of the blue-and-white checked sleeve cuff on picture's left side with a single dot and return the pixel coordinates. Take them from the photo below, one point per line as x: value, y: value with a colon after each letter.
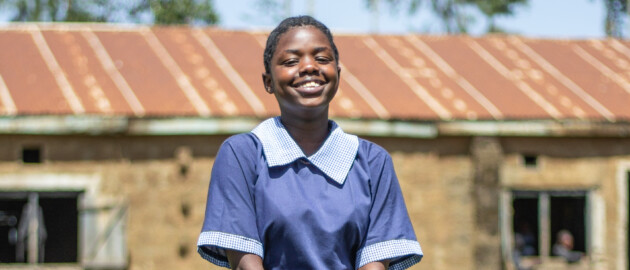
x: 212, y: 245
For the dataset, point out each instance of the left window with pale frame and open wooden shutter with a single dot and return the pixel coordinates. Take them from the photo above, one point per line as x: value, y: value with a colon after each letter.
x: 77, y: 227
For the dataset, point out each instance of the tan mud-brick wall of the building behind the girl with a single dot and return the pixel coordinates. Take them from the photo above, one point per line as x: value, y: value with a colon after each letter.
x: 450, y: 186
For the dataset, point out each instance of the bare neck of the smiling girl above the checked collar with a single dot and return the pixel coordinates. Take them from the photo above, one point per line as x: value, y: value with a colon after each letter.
x: 309, y: 133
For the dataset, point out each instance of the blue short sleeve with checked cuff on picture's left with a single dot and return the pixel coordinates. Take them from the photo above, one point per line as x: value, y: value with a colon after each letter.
x: 230, y: 220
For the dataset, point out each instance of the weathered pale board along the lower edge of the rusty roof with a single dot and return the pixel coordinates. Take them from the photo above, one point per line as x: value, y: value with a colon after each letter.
x: 178, y: 126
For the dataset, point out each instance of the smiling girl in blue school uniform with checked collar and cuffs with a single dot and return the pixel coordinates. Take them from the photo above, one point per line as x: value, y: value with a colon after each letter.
x: 297, y: 192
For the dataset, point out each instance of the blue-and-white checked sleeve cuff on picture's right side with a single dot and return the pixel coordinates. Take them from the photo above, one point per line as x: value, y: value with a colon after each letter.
x: 402, y: 253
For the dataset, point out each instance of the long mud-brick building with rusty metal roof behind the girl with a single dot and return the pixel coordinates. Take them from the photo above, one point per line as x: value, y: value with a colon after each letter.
x: 108, y: 134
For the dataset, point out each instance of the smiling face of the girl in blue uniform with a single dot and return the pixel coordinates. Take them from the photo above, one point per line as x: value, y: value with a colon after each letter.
x: 304, y: 75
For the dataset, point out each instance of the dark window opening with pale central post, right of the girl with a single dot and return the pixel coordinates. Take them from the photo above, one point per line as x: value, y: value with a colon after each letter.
x: 538, y: 217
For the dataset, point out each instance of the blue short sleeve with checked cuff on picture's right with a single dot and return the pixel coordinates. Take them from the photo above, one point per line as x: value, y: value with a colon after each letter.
x: 390, y: 235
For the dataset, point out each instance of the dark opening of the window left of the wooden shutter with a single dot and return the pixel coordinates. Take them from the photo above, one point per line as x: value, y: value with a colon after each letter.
x: 38, y: 227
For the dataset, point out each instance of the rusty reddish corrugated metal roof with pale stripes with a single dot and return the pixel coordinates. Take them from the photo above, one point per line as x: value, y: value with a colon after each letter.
x: 93, y: 69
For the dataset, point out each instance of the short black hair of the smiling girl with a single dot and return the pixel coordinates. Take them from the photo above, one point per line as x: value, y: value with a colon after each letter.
x: 286, y: 25
